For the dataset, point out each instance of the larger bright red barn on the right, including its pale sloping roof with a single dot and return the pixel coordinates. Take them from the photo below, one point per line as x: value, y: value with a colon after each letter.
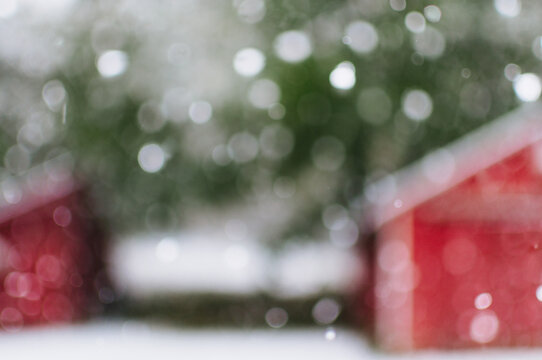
x: 458, y: 255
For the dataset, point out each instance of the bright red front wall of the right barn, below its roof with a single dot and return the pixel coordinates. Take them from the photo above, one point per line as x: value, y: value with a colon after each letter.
x: 473, y: 263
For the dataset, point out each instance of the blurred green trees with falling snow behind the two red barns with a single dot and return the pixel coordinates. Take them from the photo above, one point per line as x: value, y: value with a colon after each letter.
x: 290, y: 106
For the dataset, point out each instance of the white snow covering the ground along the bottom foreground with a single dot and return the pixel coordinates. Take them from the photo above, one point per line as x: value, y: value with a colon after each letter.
x: 132, y: 340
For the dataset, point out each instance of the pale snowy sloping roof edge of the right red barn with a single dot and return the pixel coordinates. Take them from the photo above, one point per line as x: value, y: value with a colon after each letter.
x: 440, y: 170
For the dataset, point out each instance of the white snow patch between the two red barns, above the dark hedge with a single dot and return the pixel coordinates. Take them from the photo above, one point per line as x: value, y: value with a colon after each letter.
x: 206, y: 262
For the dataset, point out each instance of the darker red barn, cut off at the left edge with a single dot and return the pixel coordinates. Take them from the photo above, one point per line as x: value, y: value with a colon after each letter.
x: 51, y: 267
